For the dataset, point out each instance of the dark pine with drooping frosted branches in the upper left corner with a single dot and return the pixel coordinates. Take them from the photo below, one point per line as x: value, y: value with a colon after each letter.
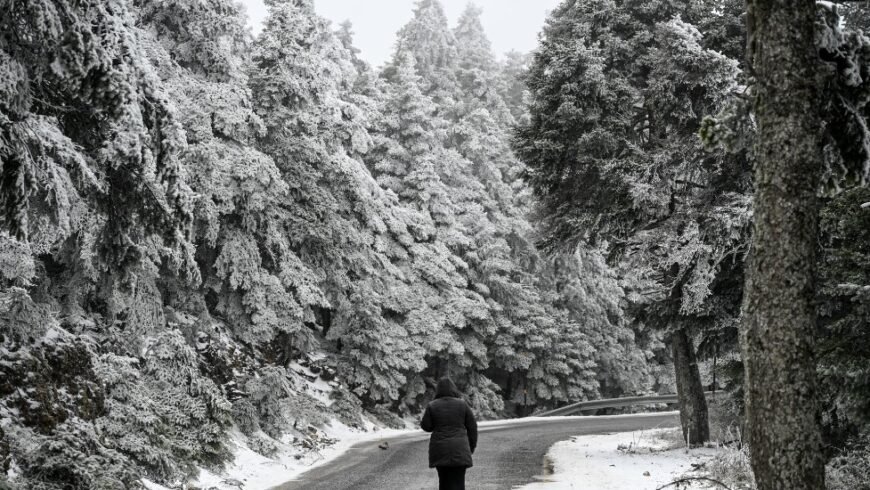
x: 125, y: 164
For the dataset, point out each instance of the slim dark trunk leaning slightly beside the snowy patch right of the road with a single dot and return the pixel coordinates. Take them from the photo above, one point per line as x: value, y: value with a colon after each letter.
x: 690, y: 391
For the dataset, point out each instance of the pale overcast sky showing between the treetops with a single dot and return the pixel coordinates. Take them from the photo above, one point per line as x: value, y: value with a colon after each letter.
x: 510, y: 24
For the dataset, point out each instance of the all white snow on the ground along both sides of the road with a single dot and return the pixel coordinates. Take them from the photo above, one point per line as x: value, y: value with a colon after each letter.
x: 601, y: 462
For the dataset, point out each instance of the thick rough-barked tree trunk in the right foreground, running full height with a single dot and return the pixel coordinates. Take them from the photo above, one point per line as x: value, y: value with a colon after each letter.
x: 778, y: 310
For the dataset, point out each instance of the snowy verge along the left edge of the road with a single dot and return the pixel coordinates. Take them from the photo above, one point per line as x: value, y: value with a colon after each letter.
x: 252, y: 471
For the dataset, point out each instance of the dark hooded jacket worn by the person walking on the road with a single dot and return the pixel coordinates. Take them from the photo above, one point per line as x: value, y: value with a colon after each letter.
x: 453, y: 428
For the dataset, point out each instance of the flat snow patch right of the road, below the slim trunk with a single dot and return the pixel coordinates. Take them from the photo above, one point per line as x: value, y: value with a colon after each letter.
x: 640, y: 460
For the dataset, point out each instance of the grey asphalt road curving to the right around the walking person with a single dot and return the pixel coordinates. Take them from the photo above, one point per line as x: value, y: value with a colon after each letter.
x: 507, y: 455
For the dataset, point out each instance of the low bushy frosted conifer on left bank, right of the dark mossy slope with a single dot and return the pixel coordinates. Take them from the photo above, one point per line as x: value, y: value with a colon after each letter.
x: 161, y: 411
